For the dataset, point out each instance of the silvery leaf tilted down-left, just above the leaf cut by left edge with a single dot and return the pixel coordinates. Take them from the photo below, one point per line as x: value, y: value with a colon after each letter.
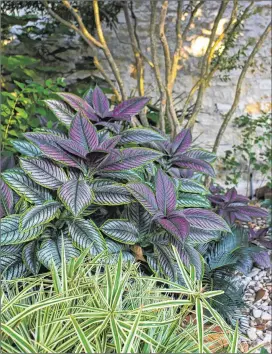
x: 39, y: 215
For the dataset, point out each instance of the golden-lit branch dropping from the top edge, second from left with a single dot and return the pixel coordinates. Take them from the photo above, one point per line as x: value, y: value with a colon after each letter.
x: 106, y: 50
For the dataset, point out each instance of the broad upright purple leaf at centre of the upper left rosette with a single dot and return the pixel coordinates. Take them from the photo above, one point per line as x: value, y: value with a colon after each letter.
x: 84, y: 133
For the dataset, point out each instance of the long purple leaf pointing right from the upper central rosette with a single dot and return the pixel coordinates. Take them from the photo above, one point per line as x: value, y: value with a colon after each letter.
x: 128, y: 158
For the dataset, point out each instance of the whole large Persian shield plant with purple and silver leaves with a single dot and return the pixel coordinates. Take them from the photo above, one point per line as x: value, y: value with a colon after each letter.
x: 105, y: 186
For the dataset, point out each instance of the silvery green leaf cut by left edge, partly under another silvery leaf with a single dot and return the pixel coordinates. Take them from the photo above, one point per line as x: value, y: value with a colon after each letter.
x: 11, y: 233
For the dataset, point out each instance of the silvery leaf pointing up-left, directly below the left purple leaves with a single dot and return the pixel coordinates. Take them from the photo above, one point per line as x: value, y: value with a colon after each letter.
x: 44, y: 172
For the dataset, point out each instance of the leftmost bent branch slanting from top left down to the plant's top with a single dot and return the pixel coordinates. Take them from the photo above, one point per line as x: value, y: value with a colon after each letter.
x: 97, y: 63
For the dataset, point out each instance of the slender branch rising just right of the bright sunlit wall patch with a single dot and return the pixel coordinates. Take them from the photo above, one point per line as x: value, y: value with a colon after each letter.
x: 205, y: 65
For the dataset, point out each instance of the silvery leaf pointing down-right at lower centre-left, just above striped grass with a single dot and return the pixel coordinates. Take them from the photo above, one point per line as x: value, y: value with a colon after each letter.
x: 85, y: 234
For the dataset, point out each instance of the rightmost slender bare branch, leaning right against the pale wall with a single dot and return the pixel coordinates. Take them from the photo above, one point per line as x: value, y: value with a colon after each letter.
x: 247, y: 64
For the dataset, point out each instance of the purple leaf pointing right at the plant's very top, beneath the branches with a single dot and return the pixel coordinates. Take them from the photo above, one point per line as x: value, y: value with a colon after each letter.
x: 130, y: 107
